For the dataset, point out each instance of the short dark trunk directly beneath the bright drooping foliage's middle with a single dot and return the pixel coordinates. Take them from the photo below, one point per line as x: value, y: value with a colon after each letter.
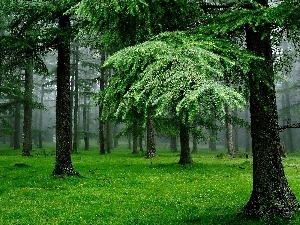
x: 185, y: 155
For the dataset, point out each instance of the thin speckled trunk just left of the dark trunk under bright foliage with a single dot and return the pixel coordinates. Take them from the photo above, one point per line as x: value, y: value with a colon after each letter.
x: 151, y: 151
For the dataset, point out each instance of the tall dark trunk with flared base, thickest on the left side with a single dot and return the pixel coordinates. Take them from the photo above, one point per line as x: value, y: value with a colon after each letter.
x: 63, y: 163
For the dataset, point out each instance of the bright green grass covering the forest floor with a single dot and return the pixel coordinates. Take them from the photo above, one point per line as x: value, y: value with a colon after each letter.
x: 122, y: 188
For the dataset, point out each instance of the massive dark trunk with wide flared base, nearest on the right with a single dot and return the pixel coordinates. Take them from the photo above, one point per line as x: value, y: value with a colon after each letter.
x: 271, y: 194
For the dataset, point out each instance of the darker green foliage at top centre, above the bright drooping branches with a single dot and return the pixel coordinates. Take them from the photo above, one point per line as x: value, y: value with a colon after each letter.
x: 128, y: 22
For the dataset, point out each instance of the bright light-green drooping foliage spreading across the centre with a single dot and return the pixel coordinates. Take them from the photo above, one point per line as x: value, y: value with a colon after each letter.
x: 175, y: 72
